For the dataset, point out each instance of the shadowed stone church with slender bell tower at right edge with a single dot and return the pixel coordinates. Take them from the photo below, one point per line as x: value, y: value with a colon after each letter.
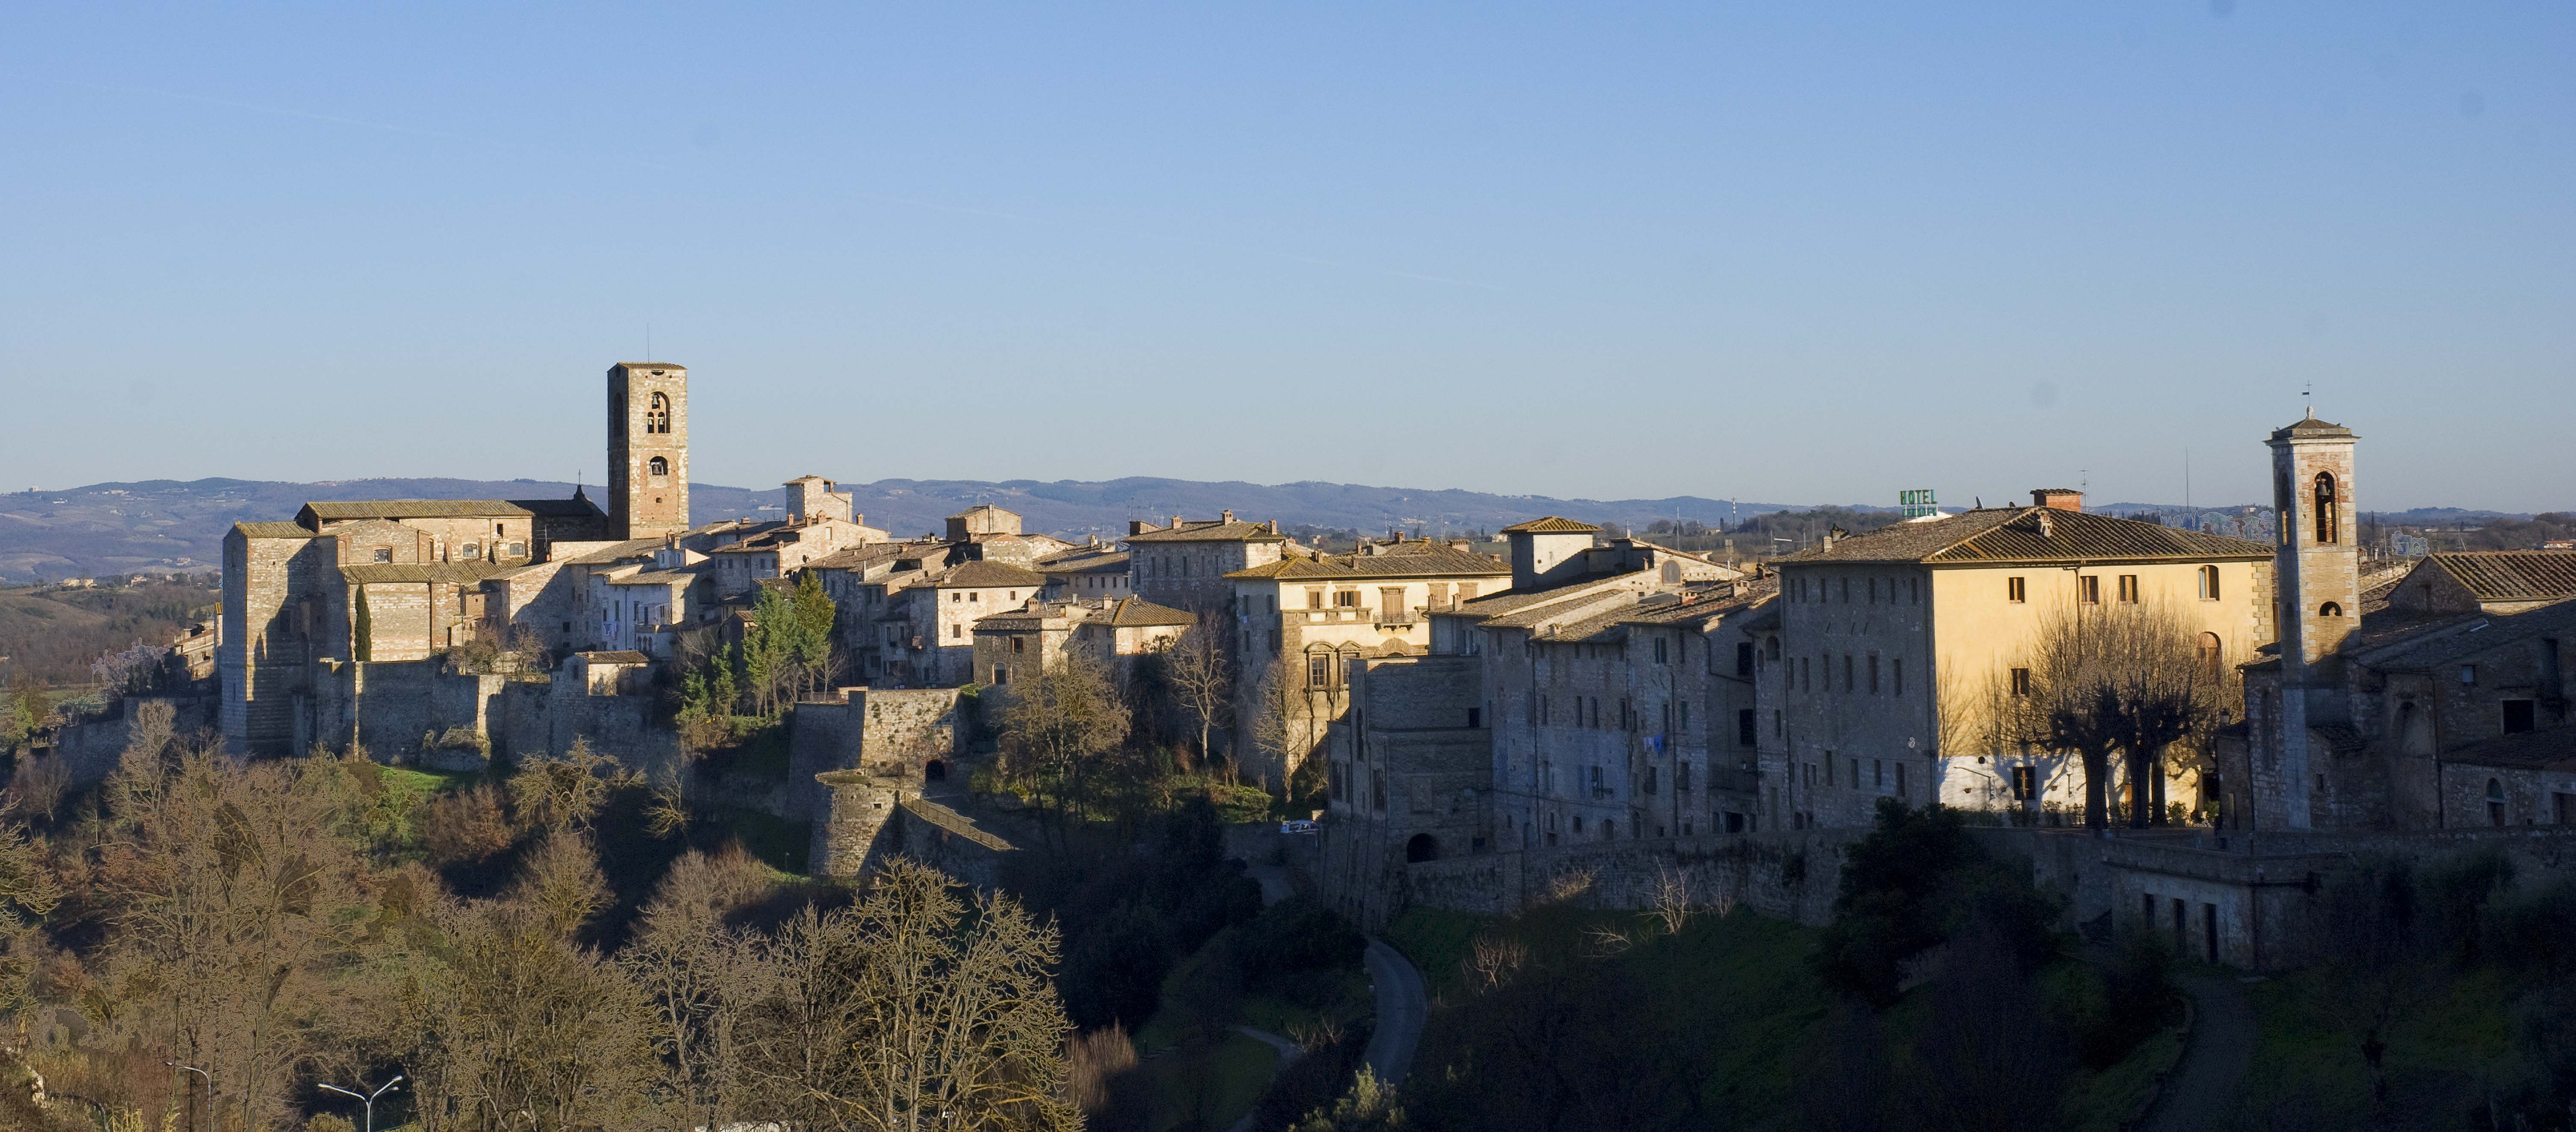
x: 2433, y: 705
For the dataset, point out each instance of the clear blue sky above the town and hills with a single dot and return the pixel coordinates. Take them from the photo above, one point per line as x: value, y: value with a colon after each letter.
x: 1768, y: 251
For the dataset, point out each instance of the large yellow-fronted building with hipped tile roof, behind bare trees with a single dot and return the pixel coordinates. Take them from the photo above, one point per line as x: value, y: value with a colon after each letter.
x: 1889, y: 643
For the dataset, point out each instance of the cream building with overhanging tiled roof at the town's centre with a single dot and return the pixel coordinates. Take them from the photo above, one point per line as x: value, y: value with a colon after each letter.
x: 1300, y: 623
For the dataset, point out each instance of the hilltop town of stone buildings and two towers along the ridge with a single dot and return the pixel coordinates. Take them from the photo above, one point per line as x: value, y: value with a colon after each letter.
x: 2160, y: 734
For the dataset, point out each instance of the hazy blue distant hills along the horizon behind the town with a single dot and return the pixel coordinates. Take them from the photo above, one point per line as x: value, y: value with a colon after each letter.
x: 169, y: 525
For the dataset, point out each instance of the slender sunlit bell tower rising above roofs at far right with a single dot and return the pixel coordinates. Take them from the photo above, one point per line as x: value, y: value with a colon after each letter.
x: 2317, y: 566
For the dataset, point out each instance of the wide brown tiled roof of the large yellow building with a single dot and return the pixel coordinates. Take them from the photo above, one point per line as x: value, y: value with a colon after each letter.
x: 2029, y: 535
